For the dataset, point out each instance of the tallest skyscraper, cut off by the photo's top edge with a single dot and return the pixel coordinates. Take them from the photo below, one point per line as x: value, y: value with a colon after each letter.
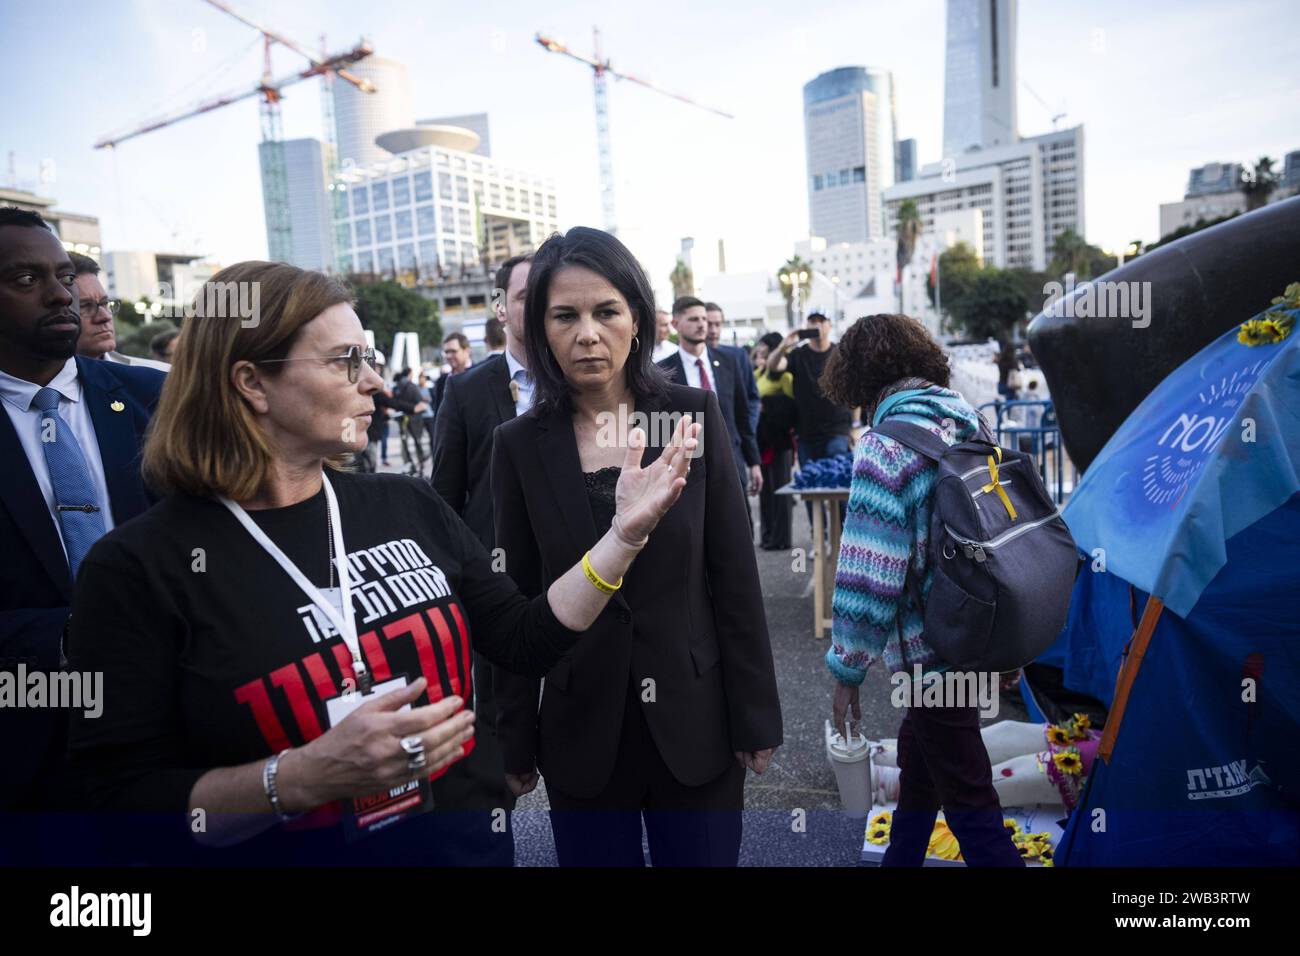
x: 980, y: 76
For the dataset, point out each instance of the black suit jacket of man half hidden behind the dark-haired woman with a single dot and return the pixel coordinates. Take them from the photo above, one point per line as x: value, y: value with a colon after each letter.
x: 474, y: 404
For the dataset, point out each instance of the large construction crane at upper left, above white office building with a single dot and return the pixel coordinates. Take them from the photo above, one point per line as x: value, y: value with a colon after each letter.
x: 275, y: 178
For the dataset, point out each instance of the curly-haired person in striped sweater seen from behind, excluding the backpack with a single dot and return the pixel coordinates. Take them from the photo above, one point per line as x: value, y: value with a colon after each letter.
x: 891, y: 367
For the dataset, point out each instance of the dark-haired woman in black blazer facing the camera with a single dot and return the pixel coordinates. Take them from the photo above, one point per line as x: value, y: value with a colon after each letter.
x: 664, y: 710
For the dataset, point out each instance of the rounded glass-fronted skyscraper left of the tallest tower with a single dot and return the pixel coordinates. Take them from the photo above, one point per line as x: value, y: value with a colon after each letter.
x: 851, y: 145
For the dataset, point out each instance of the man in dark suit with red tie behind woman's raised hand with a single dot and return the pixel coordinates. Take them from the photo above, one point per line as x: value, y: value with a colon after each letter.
x: 701, y: 367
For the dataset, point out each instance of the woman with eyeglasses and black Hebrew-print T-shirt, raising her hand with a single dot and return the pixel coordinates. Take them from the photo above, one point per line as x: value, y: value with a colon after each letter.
x: 287, y: 647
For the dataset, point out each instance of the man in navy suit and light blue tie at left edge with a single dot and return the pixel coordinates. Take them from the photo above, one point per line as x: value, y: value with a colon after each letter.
x: 70, y: 439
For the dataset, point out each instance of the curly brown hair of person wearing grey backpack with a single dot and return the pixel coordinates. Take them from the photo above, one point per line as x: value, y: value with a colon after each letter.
x: 878, y: 351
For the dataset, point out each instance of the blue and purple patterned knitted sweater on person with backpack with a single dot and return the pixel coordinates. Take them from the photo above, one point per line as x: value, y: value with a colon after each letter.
x: 886, y: 522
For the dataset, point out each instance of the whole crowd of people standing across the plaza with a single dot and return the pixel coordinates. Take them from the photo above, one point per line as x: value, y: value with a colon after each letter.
x: 306, y: 661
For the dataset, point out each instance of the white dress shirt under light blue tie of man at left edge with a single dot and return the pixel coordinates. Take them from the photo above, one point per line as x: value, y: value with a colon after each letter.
x: 18, y: 397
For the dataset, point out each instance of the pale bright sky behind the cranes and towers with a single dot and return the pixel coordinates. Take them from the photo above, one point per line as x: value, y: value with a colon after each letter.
x: 1159, y: 88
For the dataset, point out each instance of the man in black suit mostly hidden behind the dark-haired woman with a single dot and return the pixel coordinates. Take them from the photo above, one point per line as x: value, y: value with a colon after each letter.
x: 474, y: 405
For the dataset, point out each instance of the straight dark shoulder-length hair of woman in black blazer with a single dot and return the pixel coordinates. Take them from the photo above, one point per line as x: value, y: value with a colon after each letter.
x: 605, y: 256
